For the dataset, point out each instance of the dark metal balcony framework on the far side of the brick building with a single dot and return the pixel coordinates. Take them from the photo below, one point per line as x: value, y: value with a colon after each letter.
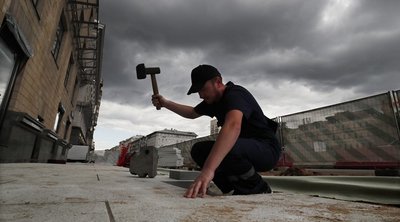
x: 88, y: 39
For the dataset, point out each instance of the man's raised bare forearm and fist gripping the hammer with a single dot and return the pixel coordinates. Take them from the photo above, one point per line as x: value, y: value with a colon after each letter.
x: 180, y: 109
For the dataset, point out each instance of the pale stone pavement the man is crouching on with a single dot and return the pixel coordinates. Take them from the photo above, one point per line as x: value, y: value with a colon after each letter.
x: 93, y: 192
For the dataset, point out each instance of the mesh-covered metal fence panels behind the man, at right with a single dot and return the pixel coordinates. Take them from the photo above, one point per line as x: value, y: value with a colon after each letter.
x: 362, y: 133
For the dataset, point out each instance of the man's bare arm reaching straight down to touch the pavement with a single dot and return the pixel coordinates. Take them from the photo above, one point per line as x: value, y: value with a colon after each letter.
x: 227, y: 137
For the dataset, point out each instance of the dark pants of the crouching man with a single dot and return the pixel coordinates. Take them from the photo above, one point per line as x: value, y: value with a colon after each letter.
x: 244, y: 155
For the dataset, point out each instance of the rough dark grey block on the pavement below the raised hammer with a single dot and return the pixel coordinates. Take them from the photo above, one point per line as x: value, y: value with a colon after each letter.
x: 144, y: 162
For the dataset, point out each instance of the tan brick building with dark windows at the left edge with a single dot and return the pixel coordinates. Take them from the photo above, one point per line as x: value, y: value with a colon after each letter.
x: 50, y: 77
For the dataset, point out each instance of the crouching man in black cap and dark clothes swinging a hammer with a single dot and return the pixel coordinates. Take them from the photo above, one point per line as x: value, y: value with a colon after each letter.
x: 245, y: 145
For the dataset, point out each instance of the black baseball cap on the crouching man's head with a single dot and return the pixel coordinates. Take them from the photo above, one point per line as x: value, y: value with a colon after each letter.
x: 200, y: 75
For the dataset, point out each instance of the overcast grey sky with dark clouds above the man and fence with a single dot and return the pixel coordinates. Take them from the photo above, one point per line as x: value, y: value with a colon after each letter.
x: 292, y: 55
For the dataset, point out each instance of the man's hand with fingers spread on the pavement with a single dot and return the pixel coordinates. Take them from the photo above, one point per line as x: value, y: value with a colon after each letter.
x: 200, y: 185
